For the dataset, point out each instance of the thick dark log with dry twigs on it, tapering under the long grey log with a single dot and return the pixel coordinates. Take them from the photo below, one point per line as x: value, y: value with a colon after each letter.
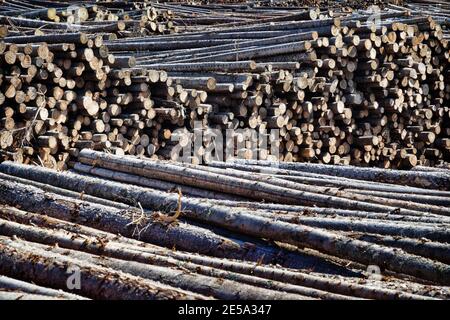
x: 151, y: 228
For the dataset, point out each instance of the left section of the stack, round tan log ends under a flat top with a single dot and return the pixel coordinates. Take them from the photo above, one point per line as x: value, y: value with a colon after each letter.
x: 62, y: 93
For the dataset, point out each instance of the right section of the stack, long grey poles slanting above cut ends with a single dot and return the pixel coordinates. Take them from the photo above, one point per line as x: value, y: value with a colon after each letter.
x: 339, y: 90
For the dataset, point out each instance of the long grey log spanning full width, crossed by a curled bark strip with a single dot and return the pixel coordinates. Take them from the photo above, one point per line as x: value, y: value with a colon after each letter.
x: 244, y: 222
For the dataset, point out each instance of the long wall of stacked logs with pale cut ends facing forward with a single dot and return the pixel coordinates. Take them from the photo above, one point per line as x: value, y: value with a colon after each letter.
x: 339, y: 90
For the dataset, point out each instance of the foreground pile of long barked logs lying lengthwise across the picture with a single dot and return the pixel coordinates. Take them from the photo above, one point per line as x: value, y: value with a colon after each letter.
x: 303, y: 231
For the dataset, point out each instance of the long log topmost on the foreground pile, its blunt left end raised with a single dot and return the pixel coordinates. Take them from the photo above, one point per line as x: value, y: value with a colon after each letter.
x: 223, y: 183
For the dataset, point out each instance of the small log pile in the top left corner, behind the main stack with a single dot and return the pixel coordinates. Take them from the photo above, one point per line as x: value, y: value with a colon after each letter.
x: 120, y: 20
